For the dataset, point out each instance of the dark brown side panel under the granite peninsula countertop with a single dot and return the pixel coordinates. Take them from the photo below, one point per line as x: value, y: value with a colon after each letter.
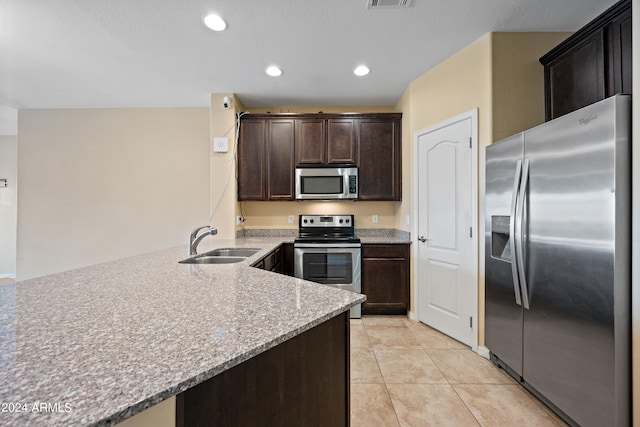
x: 302, y: 382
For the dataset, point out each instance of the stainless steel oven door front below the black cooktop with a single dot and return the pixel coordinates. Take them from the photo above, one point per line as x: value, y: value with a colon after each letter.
x: 337, y: 265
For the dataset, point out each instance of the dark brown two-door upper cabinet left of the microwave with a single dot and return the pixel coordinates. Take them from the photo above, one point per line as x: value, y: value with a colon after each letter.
x: 266, y: 159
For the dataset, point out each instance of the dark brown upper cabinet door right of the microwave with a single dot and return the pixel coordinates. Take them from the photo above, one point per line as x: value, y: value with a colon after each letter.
x: 379, y: 159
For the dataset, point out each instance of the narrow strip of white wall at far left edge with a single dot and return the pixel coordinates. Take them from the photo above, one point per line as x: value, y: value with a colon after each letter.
x: 8, y: 205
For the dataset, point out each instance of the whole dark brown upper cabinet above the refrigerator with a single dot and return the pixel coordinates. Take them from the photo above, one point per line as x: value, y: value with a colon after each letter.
x: 593, y: 64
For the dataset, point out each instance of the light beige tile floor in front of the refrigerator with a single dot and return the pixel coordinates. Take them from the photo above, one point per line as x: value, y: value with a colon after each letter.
x: 404, y: 373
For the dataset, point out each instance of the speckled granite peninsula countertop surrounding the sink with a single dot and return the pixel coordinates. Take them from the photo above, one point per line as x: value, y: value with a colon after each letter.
x: 96, y: 345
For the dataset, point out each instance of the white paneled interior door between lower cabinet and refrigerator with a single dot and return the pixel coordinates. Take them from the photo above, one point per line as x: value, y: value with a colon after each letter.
x: 446, y: 268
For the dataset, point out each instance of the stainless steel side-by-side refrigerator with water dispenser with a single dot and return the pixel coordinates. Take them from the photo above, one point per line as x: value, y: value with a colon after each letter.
x: 557, y: 277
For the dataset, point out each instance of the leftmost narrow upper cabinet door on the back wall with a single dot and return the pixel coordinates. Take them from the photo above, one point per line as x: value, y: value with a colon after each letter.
x: 251, y: 160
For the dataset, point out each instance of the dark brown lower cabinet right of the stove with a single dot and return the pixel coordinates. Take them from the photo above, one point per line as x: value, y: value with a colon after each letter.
x: 385, y: 278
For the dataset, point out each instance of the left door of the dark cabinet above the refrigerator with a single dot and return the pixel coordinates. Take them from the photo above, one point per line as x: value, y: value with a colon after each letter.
x: 576, y: 79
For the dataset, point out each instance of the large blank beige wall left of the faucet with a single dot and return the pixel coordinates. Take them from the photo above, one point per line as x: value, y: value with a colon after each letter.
x: 102, y: 184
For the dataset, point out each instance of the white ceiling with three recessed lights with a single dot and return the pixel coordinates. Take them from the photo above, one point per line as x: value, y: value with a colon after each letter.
x: 157, y: 53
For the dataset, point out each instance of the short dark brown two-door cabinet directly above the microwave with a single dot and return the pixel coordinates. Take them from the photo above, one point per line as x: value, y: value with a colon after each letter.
x: 325, y: 141
